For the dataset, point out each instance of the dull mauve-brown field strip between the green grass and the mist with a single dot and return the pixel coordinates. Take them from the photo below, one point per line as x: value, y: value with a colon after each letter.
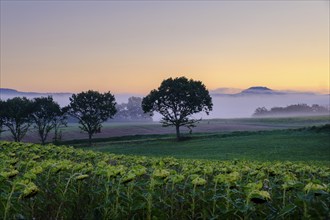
x: 115, y: 129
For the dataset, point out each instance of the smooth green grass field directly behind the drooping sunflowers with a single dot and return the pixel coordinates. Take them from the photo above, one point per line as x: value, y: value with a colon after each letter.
x: 281, y: 145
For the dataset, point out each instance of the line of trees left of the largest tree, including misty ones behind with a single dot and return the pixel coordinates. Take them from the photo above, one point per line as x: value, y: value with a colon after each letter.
x: 20, y: 114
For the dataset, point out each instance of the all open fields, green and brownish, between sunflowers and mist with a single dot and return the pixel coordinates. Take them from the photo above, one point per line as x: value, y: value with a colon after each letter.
x: 217, y: 139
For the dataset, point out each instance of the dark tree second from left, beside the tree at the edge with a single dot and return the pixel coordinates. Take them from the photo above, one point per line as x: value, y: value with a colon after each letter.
x: 45, y: 116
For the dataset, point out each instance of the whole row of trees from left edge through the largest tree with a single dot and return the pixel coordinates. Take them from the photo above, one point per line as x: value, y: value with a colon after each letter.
x: 175, y: 99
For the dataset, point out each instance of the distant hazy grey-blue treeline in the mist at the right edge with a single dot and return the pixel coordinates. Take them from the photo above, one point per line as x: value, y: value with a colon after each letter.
x: 298, y: 109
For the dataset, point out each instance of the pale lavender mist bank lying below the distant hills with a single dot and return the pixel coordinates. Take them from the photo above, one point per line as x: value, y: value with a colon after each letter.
x: 224, y: 105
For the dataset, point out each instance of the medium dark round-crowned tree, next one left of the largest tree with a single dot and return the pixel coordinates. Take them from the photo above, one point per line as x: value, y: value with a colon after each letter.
x: 92, y: 108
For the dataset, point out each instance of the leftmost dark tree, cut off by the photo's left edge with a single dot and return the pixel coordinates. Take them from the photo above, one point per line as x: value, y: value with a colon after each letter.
x: 16, y: 116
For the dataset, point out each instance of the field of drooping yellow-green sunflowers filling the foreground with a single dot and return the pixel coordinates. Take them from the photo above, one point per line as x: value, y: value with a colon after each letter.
x: 58, y: 182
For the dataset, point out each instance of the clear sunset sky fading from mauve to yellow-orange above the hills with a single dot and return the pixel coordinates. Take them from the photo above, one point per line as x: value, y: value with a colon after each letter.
x: 131, y: 46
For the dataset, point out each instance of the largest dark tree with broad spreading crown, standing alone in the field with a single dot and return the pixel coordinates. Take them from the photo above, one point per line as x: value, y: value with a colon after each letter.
x: 176, y: 100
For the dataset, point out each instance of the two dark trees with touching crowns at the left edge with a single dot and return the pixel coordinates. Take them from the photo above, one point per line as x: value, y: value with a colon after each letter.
x: 19, y: 114
